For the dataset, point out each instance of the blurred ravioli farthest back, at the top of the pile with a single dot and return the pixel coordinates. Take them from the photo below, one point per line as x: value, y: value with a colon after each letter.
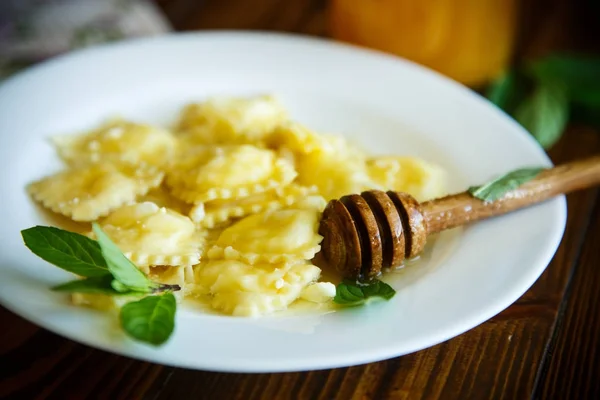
x: 231, y: 120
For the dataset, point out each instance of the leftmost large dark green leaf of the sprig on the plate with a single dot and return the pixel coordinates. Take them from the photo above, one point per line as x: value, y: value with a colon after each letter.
x: 67, y: 250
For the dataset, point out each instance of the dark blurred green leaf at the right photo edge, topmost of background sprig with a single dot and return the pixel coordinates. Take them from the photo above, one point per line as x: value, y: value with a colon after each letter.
x: 580, y: 74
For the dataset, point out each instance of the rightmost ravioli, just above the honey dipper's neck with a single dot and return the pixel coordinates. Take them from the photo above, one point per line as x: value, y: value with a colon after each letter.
x: 421, y: 179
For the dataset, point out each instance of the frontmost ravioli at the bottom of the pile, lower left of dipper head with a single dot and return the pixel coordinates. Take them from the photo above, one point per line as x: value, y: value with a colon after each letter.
x: 237, y: 288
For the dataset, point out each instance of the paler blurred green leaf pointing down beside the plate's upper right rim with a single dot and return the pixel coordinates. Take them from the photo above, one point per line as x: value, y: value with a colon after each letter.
x: 545, y: 113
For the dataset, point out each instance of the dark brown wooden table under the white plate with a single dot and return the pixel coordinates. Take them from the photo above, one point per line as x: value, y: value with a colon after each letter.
x: 546, y: 345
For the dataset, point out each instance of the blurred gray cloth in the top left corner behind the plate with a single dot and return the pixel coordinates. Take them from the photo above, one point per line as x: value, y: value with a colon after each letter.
x: 35, y: 30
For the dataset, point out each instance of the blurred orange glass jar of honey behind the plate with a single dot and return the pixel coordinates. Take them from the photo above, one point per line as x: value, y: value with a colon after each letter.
x: 470, y: 41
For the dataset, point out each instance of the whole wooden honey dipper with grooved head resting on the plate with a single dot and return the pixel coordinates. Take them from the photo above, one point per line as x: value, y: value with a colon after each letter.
x: 364, y: 233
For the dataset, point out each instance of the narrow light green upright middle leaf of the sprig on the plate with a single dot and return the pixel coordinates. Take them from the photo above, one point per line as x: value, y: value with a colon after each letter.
x: 123, y: 270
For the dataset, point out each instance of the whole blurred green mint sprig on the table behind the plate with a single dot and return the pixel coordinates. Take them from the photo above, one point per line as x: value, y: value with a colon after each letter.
x: 544, y: 95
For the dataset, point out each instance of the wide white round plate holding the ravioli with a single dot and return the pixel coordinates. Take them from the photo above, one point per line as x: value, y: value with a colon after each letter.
x: 387, y: 104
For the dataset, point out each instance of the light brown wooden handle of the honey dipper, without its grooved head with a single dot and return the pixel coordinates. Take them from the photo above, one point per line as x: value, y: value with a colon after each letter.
x: 462, y: 208
